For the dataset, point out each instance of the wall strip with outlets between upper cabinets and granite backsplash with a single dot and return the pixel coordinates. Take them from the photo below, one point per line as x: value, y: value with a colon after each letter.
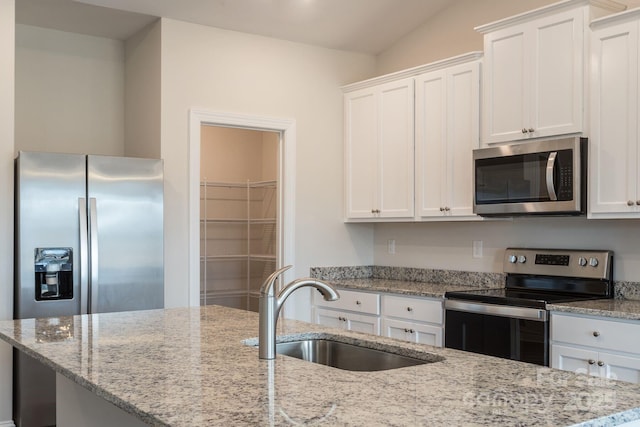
x: 448, y: 245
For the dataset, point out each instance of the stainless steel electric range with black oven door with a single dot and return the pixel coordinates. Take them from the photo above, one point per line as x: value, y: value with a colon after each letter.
x: 513, y: 322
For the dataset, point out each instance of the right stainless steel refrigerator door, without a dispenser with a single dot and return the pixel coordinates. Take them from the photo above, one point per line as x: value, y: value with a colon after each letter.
x: 126, y: 232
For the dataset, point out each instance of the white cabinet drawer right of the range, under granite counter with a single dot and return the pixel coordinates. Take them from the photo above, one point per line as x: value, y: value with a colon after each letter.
x: 597, y: 333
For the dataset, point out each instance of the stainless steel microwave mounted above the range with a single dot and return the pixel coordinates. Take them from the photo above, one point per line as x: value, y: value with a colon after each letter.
x: 533, y: 178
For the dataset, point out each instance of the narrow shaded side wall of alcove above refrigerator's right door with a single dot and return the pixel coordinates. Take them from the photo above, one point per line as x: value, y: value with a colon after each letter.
x: 142, y: 93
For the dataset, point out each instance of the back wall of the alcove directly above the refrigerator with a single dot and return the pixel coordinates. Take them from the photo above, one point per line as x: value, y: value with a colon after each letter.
x: 69, y: 92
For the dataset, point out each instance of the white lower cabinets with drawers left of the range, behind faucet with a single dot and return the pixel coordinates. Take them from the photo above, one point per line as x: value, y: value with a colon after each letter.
x: 414, y: 319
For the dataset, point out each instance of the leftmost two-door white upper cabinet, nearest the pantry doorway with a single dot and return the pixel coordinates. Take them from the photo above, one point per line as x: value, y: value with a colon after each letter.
x: 379, y: 151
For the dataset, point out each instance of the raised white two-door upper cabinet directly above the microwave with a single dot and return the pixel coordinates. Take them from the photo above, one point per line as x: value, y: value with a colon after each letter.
x: 534, y: 82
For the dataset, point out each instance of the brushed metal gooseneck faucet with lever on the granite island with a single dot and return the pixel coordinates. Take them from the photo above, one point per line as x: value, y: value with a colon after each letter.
x: 270, y: 306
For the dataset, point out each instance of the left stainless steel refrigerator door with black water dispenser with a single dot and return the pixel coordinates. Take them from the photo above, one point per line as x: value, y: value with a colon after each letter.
x: 48, y: 189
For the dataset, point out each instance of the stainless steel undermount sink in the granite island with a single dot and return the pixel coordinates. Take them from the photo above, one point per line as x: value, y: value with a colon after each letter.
x: 348, y: 356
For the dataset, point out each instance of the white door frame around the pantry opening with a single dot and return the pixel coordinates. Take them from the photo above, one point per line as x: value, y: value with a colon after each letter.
x: 286, y: 181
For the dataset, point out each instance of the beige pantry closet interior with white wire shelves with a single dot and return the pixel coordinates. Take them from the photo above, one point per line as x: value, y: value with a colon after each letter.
x: 239, y: 233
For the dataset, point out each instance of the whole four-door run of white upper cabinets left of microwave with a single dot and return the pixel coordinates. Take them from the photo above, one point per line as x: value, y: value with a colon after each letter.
x: 401, y: 146
